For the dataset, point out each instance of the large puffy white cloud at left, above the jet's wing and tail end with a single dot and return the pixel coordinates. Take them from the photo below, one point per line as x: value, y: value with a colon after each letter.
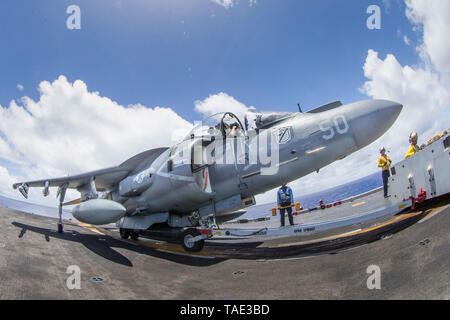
x: 70, y: 130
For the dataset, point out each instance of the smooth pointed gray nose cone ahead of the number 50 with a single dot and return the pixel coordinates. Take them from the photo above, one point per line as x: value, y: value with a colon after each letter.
x: 377, y: 117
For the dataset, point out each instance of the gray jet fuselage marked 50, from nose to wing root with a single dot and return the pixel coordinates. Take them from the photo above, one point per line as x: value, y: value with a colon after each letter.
x: 297, y: 145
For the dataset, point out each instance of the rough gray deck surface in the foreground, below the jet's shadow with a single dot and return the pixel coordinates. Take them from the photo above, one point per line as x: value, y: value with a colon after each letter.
x: 414, y: 264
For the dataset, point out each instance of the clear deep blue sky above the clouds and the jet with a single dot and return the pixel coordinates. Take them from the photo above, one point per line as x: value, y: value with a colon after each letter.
x: 171, y: 53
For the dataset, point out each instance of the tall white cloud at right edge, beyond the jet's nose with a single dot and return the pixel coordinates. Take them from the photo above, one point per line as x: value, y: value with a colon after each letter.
x: 423, y: 89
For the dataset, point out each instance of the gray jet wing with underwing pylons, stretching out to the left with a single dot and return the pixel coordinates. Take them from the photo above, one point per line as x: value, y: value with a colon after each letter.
x: 104, y: 179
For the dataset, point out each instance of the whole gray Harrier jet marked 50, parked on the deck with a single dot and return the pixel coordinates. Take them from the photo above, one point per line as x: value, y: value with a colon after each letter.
x: 218, y: 168
